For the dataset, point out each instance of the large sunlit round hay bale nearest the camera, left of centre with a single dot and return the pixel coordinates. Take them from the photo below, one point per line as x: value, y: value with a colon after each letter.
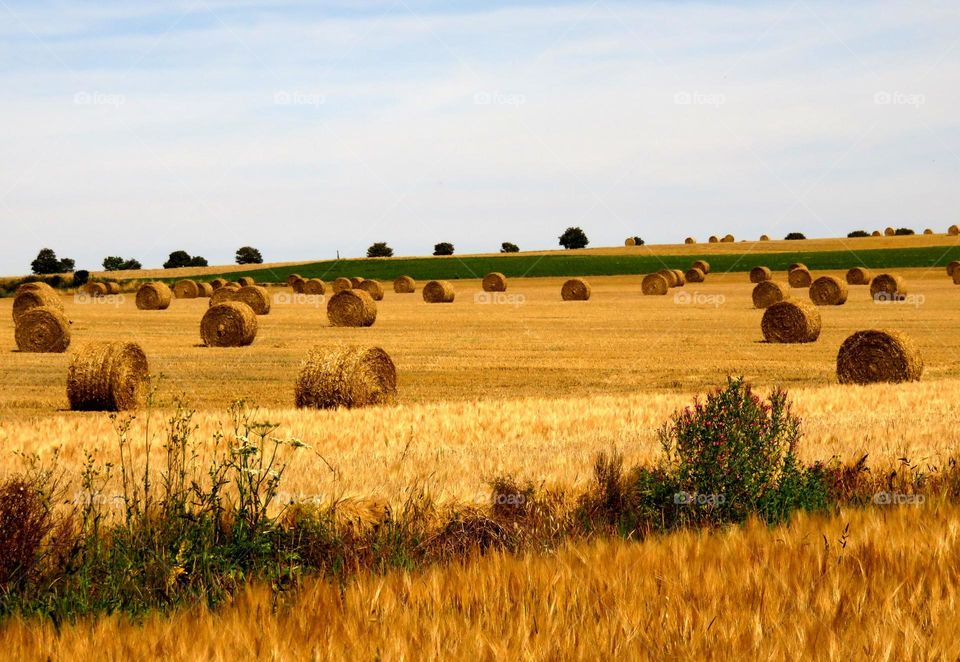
x: 346, y: 376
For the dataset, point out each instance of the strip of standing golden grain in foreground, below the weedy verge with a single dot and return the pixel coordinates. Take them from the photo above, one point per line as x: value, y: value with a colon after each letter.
x: 877, y: 585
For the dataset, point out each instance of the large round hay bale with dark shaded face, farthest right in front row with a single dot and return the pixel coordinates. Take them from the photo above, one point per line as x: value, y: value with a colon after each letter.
x: 878, y: 356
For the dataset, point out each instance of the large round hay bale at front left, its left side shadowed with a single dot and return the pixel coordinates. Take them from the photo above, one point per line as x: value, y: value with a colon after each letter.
x: 107, y: 376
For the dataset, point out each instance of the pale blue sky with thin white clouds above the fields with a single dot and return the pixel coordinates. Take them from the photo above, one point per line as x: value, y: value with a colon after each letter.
x: 311, y: 128
